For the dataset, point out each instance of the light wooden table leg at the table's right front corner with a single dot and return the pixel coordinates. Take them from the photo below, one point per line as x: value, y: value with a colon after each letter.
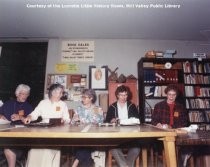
x: 170, y: 152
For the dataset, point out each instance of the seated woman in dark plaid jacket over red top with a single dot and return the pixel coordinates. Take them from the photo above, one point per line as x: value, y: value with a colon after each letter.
x: 170, y: 113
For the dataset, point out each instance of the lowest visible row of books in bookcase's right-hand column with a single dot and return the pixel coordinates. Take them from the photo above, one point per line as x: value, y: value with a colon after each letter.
x: 198, y: 116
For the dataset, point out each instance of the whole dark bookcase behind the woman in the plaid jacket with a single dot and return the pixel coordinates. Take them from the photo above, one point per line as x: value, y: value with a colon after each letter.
x: 190, y: 75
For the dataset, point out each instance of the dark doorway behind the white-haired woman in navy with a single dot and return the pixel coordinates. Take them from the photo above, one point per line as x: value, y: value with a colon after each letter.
x: 23, y: 63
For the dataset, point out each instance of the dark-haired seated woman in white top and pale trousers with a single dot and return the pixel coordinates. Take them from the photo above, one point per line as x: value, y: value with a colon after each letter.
x: 53, y: 107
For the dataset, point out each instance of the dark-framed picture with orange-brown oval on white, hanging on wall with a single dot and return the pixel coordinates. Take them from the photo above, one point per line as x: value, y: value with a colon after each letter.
x: 98, y: 77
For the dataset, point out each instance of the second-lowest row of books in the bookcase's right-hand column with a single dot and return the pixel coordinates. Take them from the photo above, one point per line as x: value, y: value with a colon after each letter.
x: 197, y: 103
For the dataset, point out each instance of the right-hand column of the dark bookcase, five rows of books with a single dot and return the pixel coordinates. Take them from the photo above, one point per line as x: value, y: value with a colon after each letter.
x: 197, y: 89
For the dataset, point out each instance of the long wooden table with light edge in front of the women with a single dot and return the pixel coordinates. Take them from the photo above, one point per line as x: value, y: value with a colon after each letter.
x: 87, y: 135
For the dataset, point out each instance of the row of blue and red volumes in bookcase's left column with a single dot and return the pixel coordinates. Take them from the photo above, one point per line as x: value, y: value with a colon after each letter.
x: 160, y: 76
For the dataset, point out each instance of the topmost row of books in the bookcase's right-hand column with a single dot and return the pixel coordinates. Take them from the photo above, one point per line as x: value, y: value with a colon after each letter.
x: 196, y: 67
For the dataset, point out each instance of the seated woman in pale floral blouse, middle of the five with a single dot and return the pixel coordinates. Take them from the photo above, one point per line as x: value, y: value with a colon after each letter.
x: 86, y: 113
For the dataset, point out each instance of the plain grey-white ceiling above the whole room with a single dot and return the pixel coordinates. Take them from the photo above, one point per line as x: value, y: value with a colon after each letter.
x: 81, y: 19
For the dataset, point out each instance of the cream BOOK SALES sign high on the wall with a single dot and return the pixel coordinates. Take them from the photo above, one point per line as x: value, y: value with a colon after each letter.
x: 77, y: 51
